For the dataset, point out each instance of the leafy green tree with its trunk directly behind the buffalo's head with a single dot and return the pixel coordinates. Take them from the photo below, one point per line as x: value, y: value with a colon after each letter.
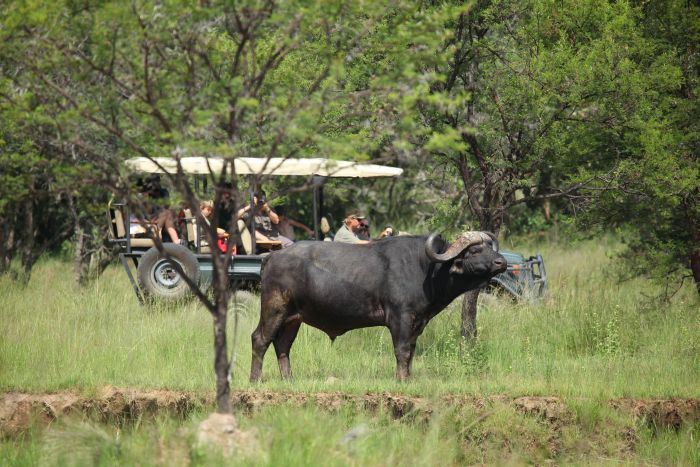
x: 532, y: 89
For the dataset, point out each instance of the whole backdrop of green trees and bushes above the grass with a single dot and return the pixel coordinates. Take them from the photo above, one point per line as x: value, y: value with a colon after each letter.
x: 522, y: 115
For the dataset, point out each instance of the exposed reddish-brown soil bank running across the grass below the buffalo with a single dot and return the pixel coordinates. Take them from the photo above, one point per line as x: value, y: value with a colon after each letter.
x: 19, y: 410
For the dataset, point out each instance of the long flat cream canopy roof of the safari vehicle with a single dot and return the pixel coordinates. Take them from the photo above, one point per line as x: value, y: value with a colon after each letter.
x: 264, y: 166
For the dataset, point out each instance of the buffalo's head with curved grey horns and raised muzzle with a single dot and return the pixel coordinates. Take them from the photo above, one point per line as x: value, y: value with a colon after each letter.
x: 473, y: 253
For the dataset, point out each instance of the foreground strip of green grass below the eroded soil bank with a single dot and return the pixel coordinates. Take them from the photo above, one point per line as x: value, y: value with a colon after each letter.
x: 304, y: 436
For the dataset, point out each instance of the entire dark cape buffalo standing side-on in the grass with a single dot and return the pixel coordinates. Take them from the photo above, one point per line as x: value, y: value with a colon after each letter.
x: 398, y: 282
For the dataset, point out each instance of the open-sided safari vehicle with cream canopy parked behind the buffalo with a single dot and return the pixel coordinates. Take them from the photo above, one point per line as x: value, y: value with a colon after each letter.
x: 156, y: 277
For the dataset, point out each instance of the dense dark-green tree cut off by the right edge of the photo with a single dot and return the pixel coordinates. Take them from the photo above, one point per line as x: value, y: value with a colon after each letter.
x: 653, y: 191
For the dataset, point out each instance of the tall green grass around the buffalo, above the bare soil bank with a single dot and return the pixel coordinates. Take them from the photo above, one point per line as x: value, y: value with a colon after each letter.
x: 592, y: 336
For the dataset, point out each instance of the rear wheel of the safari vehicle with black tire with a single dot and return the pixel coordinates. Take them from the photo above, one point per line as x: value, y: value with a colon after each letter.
x: 159, y: 279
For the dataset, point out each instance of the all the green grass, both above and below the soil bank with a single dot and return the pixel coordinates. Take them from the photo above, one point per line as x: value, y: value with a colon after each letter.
x: 590, y: 340
